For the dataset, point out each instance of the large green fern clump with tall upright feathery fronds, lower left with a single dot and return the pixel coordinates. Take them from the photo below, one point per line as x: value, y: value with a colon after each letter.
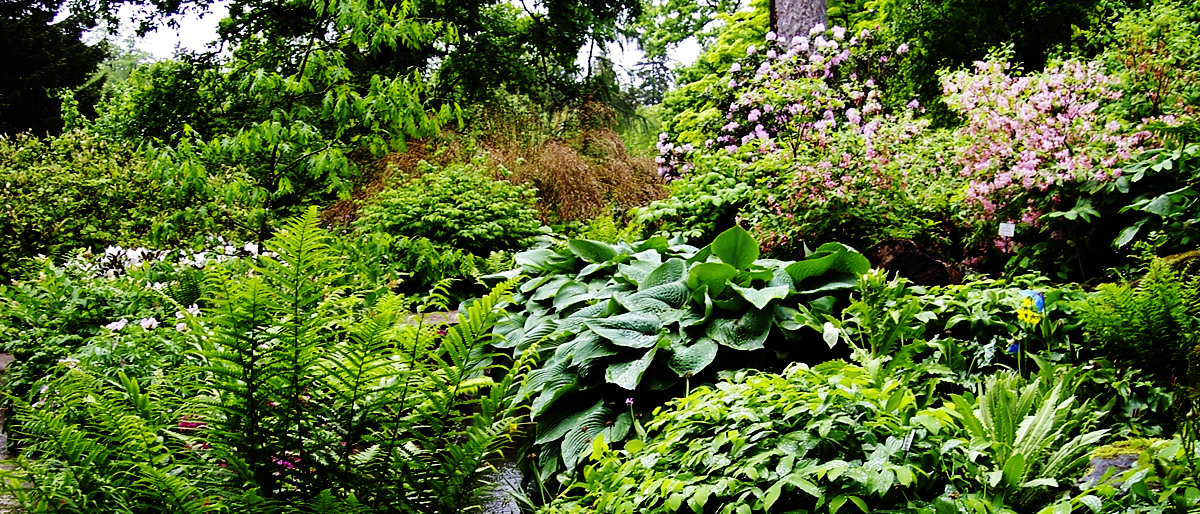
x: 293, y: 398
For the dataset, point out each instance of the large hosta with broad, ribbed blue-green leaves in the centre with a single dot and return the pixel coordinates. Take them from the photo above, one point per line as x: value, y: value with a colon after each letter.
x: 623, y: 327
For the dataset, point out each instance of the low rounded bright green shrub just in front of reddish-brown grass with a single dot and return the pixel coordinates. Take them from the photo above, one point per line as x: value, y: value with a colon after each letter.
x: 459, y: 207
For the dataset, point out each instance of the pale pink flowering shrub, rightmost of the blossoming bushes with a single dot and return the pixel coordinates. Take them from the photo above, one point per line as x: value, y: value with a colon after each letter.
x: 1033, y: 150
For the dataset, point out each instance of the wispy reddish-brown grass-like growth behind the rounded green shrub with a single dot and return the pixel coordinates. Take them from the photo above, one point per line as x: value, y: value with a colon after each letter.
x: 575, y: 162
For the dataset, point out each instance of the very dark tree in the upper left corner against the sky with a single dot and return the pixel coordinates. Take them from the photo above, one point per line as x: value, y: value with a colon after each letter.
x: 39, y: 58
